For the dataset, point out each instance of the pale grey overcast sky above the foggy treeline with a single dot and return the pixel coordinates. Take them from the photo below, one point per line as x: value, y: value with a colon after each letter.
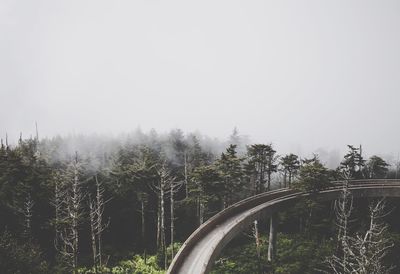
x: 306, y: 74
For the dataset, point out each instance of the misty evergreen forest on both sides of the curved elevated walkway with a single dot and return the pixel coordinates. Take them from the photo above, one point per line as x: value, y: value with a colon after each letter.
x: 86, y: 204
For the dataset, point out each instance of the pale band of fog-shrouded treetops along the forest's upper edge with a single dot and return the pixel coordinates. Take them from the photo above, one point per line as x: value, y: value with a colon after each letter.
x: 98, y: 150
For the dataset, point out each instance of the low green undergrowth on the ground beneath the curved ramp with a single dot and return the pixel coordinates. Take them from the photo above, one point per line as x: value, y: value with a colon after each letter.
x: 295, y: 254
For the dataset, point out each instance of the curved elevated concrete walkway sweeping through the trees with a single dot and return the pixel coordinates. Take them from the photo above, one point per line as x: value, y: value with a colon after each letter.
x: 200, y: 250
